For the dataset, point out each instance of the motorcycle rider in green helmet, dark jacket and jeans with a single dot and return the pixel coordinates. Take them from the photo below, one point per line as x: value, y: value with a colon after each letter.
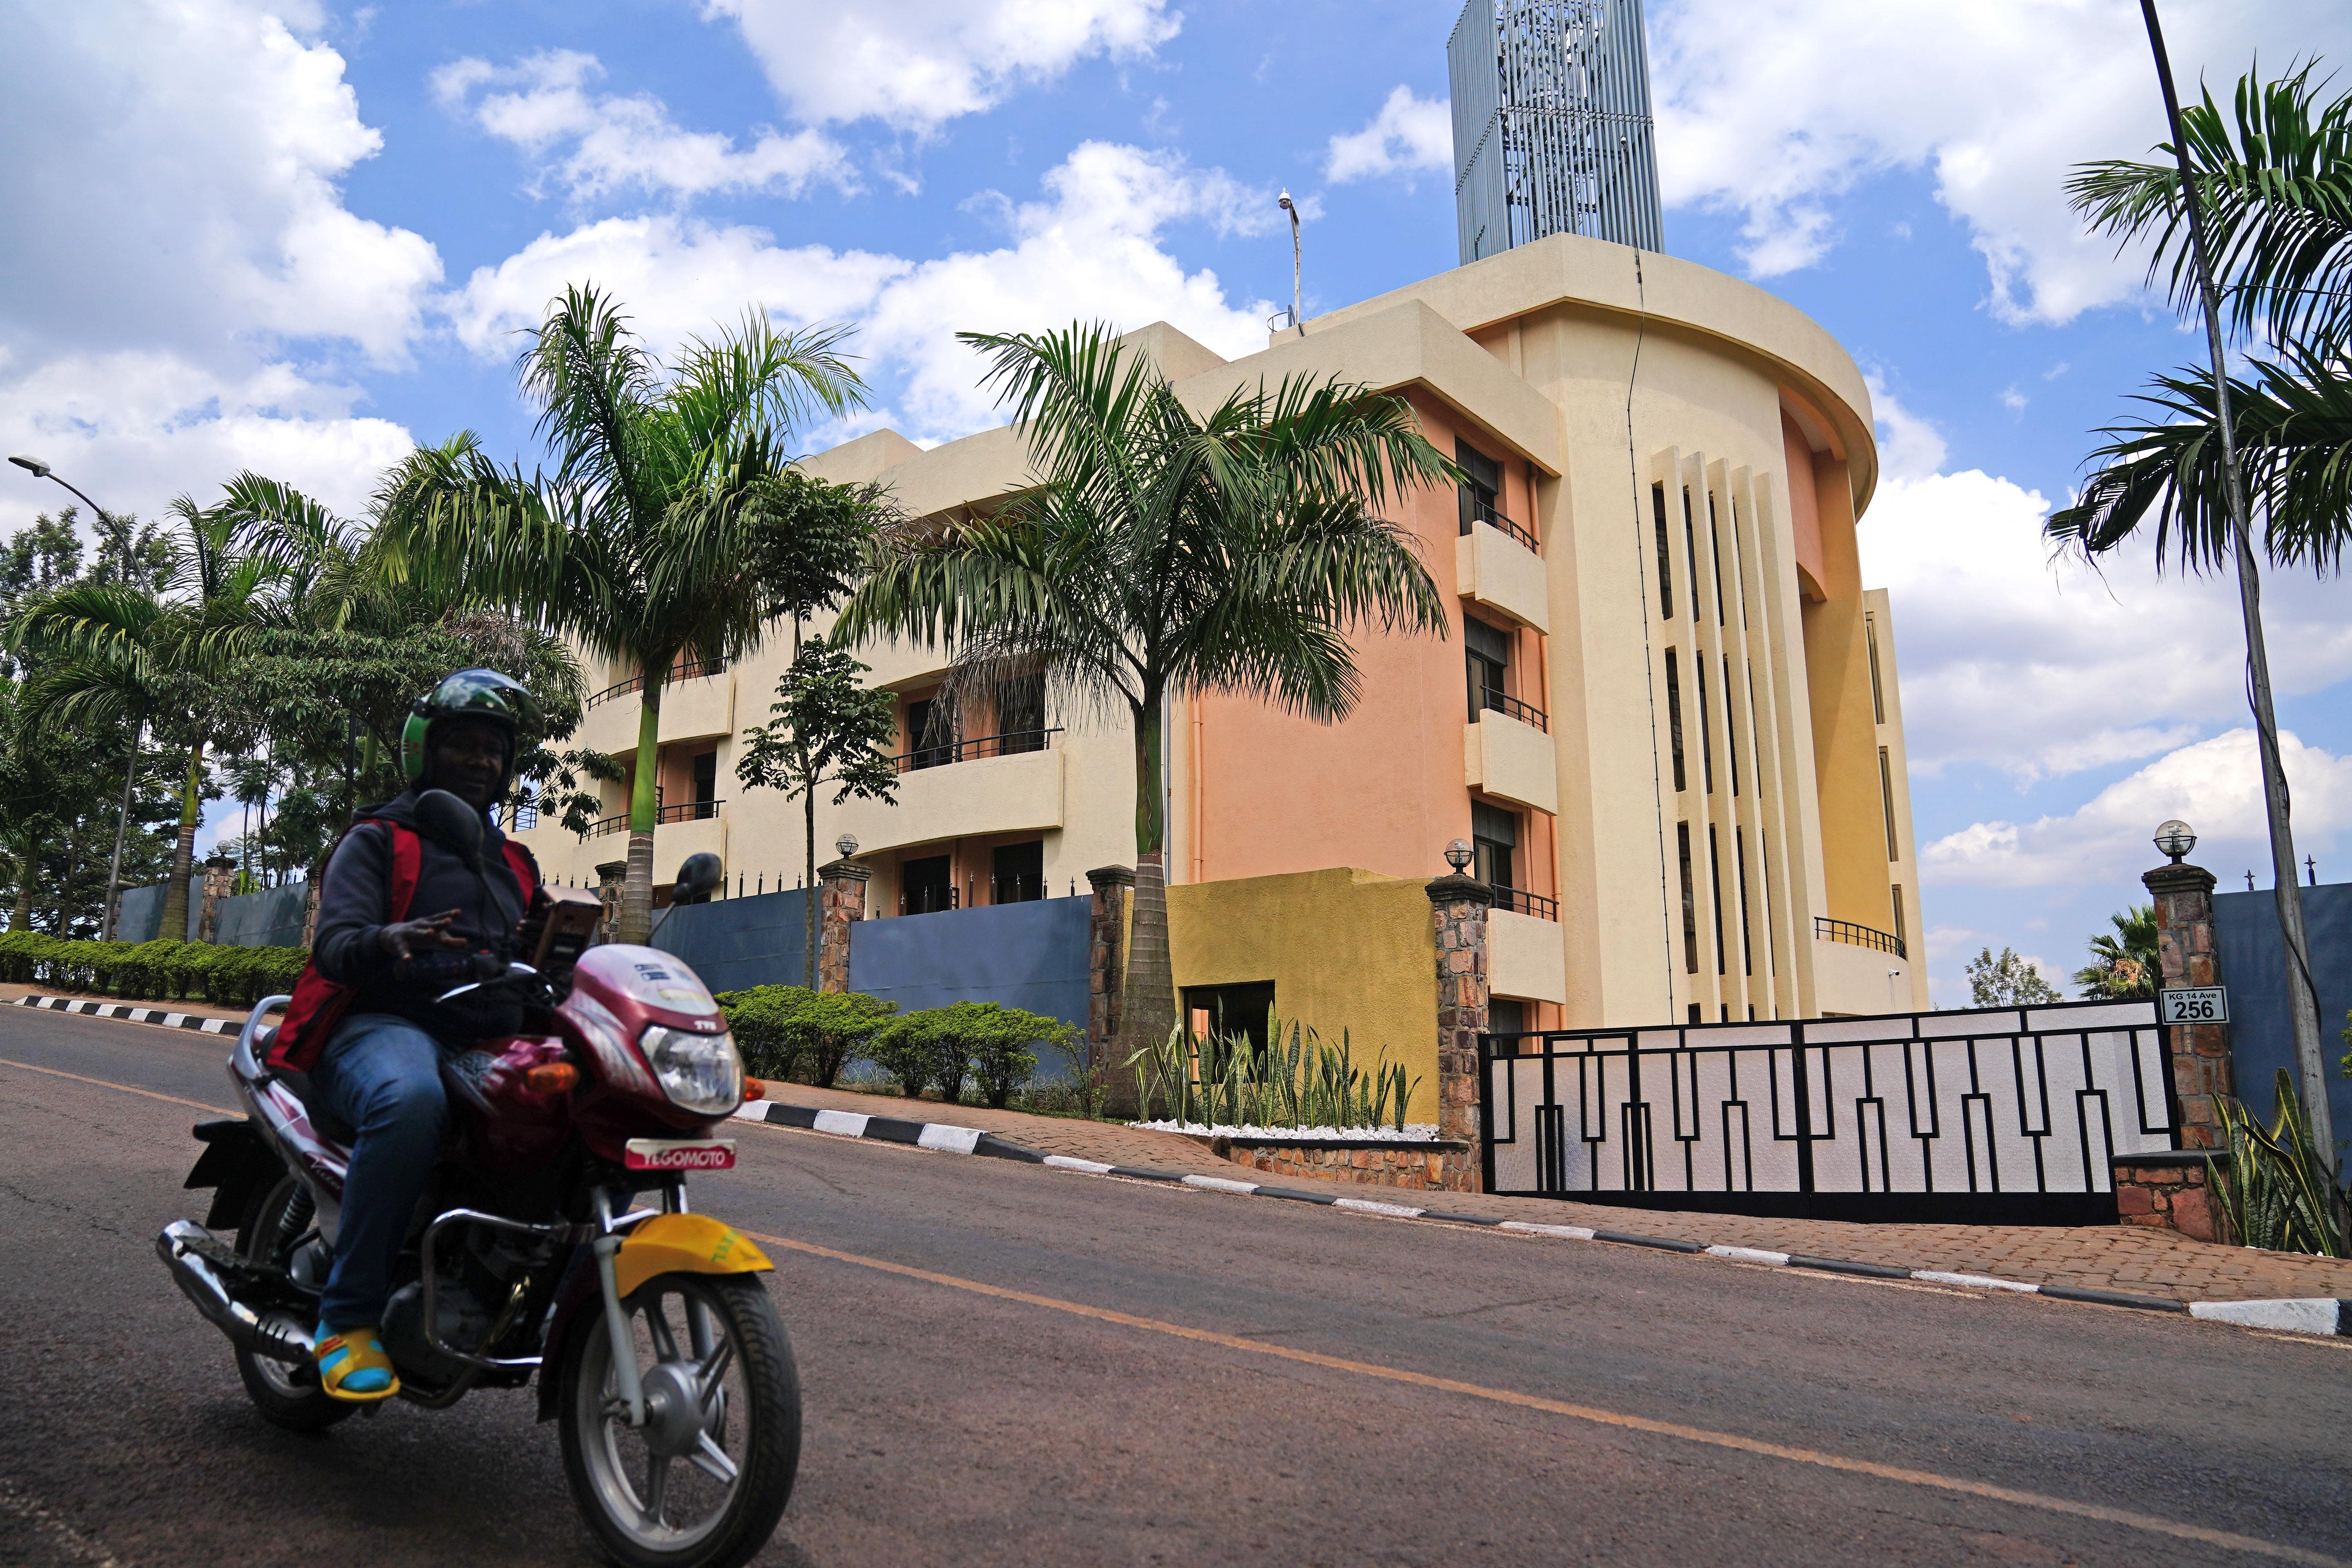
x: 401, y: 920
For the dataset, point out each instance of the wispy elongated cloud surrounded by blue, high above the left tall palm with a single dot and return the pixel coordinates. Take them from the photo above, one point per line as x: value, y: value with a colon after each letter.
x: 601, y: 145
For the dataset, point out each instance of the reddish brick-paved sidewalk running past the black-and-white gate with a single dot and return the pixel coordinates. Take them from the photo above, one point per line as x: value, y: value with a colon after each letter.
x: 2130, y: 1259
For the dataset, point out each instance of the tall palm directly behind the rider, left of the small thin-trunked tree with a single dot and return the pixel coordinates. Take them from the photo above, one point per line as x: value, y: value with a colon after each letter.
x: 632, y: 544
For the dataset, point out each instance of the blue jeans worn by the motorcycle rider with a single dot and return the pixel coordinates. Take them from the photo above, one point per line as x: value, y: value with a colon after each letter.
x: 382, y: 1076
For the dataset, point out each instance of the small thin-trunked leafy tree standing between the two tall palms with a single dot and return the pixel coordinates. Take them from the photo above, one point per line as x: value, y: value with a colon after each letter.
x: 827, y: 730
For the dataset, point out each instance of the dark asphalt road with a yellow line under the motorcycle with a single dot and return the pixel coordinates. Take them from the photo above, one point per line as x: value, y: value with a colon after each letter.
x: 1008, y: 1365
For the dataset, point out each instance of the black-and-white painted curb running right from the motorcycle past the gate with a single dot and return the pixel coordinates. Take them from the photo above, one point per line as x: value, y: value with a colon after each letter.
x: 2318, y: 1315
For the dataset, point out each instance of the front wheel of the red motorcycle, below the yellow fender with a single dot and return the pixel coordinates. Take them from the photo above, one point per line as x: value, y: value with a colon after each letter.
x: 704, y: 1480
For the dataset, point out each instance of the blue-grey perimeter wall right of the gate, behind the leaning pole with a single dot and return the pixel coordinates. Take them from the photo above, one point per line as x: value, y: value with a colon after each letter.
x: 2254, y: 972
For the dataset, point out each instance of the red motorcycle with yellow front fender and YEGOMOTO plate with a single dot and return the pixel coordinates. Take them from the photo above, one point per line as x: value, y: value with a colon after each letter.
x: 657, y: 1351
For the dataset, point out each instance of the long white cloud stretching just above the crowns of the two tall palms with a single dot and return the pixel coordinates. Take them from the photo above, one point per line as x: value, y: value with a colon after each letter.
x: 1088, y: 250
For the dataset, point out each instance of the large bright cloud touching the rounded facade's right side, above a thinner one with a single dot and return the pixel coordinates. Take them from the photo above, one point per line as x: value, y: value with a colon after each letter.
x: 2043, y: 666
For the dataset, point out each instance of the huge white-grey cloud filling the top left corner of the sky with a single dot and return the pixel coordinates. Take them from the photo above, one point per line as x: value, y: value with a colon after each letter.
x: 182, y: 267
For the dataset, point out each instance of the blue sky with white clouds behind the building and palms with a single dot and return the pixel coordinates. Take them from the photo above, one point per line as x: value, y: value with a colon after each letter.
x: 300, y: 239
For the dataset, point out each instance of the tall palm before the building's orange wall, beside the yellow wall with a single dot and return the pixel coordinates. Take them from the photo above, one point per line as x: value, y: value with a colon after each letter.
x: 1163, y: 554
